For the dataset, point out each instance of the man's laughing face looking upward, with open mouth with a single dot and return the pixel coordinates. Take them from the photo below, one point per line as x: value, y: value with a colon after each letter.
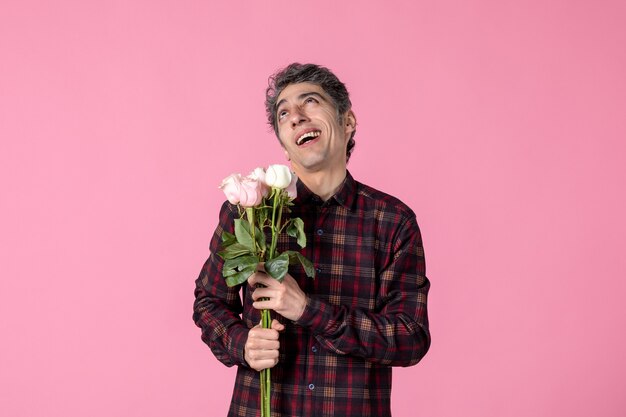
x: 309, y: 129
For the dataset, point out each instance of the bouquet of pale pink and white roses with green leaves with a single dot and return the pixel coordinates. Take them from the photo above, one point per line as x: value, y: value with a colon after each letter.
x: 262, y: 197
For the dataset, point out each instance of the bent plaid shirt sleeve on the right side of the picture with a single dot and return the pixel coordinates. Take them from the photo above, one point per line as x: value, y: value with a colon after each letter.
x: 396, y: 333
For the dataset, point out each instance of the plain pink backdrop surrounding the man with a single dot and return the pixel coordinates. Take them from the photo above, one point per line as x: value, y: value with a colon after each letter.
x: 502, y: 123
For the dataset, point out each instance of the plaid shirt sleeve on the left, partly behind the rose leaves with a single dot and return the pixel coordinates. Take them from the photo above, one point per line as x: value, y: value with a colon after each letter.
x: 217, y: 308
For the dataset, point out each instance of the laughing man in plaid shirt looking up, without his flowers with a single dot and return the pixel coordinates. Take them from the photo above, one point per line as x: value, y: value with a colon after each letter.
x: 334, y: 338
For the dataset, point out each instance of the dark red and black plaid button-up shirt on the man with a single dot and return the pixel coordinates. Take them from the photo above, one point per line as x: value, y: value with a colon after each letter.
x: 365, y: 312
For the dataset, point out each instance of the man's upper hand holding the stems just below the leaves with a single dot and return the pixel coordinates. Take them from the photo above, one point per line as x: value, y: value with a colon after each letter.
x: 286, y: 298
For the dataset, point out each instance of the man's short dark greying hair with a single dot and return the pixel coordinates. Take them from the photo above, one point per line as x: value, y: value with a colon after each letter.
x: 314, y: 74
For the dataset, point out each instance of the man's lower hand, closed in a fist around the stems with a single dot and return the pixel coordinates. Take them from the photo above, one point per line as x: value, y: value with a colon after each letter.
x: 261, y: 348
